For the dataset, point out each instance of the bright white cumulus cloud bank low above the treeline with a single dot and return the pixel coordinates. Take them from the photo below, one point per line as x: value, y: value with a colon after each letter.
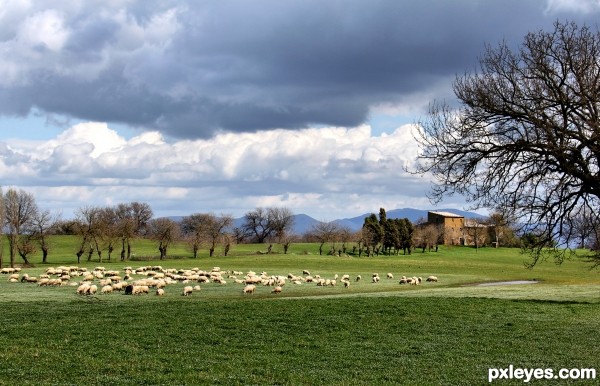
x: 326, y: 172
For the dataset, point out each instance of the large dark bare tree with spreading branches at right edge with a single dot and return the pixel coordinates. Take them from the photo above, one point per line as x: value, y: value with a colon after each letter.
x: 526, y: 137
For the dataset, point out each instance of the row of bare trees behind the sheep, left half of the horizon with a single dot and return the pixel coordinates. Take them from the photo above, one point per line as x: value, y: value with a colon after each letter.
x: 102, y: 231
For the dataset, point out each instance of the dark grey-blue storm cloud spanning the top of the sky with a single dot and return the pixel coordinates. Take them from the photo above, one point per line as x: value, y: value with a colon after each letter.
x: 192, y: 69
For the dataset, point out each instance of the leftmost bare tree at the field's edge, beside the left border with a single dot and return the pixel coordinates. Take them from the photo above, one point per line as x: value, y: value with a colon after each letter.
x: 20, y: 209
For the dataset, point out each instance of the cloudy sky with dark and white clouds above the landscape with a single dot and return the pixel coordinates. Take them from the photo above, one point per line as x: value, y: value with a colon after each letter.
x: 226, y: 106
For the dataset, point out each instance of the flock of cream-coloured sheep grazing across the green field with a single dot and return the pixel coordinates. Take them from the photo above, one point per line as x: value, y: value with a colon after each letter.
x: 143, y: 280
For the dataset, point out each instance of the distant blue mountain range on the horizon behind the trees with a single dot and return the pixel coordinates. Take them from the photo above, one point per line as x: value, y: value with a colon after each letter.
x: 303, y: 223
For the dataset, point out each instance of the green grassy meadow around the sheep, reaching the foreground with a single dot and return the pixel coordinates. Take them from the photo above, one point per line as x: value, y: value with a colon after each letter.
x: 450, y: 332
